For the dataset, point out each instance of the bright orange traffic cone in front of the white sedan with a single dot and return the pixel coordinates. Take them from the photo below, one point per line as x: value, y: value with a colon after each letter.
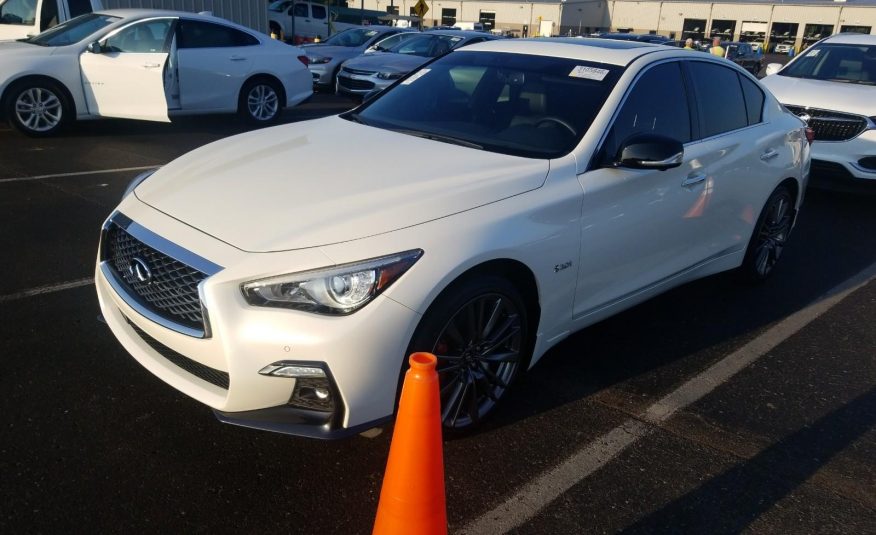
x: 412, y: 498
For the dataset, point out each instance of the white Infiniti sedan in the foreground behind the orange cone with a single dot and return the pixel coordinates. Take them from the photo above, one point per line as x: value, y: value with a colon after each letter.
x: 536, y: 187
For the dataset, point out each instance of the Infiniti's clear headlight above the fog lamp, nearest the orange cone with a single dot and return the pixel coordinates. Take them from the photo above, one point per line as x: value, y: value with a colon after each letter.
x: 337, y: 290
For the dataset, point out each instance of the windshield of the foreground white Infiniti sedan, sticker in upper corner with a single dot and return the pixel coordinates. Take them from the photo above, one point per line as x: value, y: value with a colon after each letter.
x: 523, y: 105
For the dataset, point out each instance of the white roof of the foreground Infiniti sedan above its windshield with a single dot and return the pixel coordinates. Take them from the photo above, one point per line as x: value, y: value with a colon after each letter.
x: 610, y: 51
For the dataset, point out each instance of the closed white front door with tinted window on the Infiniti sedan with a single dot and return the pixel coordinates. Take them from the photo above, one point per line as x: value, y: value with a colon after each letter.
x: 640, y: 226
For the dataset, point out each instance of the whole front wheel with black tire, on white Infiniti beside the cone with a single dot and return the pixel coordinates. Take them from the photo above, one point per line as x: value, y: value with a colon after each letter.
x: 479, y: 331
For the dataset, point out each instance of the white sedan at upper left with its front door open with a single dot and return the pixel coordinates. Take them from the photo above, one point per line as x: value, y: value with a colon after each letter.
x: 147, y: 64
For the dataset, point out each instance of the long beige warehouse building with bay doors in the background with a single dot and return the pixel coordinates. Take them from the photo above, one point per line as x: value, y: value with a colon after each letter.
x: 801, y: 22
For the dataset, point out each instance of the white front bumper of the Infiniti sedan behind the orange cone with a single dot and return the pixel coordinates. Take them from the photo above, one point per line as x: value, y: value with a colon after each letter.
x: 362, y: 362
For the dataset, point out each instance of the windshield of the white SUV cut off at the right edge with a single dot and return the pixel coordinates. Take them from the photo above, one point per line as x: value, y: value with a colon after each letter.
x: 836, y: 62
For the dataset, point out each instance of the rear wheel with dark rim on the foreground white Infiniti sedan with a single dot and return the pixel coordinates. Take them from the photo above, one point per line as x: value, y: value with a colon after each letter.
x: 770, y: 235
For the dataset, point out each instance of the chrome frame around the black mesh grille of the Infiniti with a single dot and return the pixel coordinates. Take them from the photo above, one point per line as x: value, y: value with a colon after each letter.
x: 170, y: 249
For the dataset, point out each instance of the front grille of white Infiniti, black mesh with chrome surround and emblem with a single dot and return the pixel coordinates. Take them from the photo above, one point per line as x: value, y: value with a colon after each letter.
x: 168, y: 291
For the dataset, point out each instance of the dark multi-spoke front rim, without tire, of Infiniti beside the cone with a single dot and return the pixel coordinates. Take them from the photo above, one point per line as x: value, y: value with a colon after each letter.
x: 478, y: 355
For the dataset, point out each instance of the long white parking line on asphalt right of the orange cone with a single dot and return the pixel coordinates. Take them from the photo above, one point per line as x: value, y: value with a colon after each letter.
x: 539, y: 493
